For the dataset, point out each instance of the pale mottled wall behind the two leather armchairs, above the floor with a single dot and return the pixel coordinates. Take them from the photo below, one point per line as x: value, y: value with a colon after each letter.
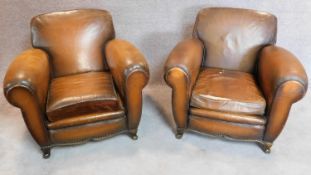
x: 154, y: 26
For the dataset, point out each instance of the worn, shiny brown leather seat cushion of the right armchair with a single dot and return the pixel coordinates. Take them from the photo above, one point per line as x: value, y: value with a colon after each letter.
x: 228, y: 91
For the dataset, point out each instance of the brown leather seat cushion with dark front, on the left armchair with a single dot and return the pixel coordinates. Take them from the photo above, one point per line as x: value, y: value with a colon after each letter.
x: 81, y: 94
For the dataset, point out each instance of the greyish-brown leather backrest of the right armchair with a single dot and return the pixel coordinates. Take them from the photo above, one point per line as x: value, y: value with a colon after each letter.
x: 232, y: 37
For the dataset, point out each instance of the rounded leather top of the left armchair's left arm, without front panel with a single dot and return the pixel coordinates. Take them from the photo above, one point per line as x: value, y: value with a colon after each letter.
x: 29, y: 70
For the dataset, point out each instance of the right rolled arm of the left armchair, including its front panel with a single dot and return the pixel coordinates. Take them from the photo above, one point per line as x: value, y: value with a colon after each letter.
x: 131, y: 73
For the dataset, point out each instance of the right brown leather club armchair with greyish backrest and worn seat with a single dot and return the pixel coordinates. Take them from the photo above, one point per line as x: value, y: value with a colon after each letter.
x: 231, y: 80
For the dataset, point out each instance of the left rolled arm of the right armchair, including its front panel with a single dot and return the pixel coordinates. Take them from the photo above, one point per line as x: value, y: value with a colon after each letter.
x: 181, y: 71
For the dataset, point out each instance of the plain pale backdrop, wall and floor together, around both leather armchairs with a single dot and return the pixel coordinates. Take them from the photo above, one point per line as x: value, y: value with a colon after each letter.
x: 155, y: 27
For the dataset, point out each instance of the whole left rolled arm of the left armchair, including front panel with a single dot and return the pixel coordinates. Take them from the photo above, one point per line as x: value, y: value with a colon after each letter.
x: 25, y: 86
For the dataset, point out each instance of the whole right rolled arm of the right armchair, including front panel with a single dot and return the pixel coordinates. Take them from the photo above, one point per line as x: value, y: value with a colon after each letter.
x: 283, y: 81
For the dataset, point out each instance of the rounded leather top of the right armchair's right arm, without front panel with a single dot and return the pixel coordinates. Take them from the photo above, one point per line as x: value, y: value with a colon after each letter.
x: 277, y: 66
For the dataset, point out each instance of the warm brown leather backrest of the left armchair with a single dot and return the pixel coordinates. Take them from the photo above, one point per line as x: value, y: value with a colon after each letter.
x: 74, y: 40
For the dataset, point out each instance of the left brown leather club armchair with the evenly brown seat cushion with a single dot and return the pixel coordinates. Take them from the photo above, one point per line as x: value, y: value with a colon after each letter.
x: 78, y: 83
